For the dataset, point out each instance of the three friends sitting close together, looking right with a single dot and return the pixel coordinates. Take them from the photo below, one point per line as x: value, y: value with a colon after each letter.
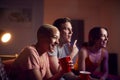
x: 40, y: 61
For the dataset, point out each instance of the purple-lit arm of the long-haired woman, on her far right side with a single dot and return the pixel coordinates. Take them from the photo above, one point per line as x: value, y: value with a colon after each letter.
x: 105, y: 65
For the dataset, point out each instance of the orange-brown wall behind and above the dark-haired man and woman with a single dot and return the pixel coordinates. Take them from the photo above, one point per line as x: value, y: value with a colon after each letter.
x: 93, y: 12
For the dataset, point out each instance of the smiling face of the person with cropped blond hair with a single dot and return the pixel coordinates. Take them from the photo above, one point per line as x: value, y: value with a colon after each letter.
x: 54, y: 40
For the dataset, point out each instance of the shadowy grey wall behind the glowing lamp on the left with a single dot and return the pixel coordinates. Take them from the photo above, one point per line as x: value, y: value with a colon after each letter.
x: 23, y: 31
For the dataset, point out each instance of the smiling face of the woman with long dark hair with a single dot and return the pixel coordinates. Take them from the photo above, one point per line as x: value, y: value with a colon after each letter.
x: 102, y: 42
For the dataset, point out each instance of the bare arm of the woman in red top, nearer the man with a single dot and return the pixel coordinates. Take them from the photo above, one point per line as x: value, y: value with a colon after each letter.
x: 81, y: 59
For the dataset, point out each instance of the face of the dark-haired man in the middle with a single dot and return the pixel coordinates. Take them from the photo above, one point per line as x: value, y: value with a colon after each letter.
x: 66, y: 32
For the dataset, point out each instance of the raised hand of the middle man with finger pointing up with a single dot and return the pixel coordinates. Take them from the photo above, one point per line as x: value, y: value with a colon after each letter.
x: 73, y: 49
